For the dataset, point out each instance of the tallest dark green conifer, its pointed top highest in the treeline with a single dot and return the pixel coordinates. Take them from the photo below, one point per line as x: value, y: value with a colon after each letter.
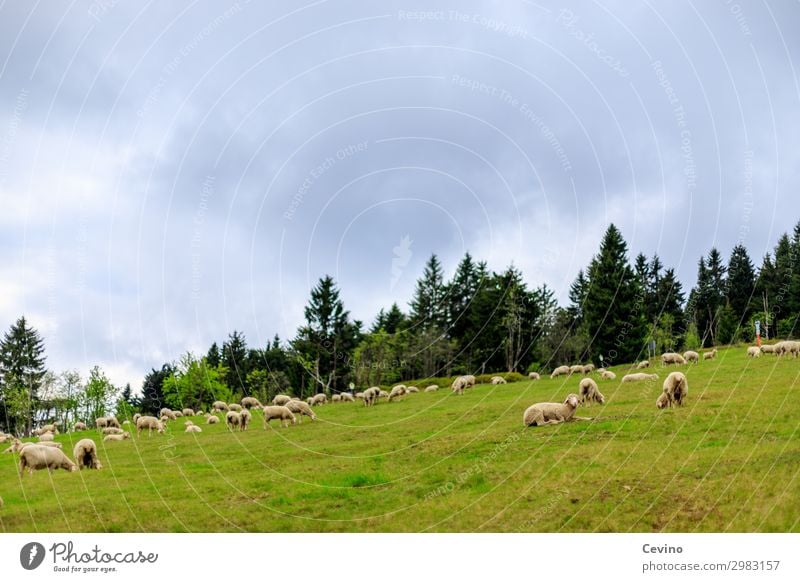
x: 613, y: 309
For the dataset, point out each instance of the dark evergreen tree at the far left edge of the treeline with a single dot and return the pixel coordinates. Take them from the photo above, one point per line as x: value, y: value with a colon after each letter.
x: 22, y: 371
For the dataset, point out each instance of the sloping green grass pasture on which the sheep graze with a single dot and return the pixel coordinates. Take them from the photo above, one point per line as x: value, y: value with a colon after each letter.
x: 726, y: 462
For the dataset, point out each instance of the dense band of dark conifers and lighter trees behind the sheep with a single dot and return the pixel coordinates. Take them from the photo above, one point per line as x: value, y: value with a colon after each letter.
x: 479, y: 321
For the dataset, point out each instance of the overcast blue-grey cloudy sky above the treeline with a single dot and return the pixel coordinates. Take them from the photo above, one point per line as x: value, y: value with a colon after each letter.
x: 172, y: 171
